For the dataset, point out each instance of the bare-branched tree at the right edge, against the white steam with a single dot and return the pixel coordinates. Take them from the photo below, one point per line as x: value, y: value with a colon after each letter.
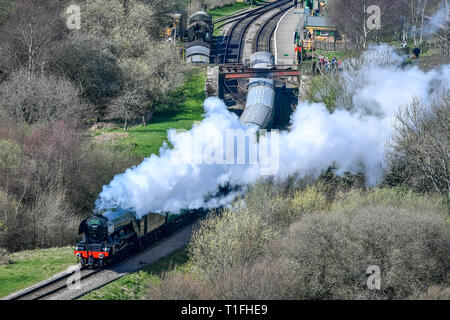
x: 420, y: 148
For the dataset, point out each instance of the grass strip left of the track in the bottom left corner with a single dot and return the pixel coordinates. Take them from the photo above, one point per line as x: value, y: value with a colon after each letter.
x: 31, y: 266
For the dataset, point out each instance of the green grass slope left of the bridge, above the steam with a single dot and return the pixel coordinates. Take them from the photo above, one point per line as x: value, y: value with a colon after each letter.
x: 185, y: 106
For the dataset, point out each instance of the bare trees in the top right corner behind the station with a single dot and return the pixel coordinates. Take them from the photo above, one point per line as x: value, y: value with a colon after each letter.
x: 402, y: 20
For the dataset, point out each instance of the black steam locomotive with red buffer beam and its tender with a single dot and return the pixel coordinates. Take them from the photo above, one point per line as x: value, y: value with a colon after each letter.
x: 116, y: 233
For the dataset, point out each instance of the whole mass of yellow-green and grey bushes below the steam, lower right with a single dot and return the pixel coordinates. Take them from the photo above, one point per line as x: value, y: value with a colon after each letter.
x: 325, y: 252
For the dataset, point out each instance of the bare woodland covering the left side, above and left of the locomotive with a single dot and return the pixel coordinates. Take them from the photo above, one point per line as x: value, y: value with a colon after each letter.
x: 54, y: 84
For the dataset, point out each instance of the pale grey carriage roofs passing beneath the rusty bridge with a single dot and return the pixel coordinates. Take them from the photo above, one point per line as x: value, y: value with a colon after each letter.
x: 259, y: 108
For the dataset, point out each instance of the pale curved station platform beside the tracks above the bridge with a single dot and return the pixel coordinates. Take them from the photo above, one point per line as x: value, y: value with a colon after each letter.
x: 284, y: 36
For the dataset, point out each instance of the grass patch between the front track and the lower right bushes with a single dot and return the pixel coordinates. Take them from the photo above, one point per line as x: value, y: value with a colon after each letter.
x: 134, y: 286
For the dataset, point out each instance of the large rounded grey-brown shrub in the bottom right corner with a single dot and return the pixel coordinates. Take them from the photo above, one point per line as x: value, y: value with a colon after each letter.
x: 331, y: 252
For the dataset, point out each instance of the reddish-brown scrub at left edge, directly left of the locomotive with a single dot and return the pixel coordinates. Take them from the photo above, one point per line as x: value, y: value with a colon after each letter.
x: 50, y: 177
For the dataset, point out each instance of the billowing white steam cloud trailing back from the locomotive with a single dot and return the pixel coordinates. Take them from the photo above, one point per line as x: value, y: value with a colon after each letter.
x: 353, y: 140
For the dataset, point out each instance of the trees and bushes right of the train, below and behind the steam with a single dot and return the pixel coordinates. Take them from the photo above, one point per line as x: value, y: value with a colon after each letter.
x: 313, y: 238
